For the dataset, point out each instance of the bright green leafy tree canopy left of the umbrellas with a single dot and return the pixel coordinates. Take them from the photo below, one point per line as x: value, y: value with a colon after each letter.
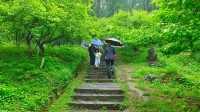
x: 42, y: 22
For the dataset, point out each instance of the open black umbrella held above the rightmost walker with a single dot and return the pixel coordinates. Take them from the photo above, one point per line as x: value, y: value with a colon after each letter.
x: 114, y: 42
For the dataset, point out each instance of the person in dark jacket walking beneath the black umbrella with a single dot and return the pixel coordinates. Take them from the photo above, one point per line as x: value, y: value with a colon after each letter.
x: 109, y: 59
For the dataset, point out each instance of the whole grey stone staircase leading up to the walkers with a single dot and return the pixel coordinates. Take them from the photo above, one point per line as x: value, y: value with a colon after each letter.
x: 98, y: 92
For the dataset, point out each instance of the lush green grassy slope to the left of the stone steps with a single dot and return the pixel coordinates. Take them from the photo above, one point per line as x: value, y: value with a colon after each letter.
x: 25, y: 87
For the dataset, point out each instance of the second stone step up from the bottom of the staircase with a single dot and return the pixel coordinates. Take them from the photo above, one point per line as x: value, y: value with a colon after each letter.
x: 98, y: 97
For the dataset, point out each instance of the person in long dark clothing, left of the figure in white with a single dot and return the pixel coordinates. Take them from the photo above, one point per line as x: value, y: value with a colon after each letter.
x: 91, y: 51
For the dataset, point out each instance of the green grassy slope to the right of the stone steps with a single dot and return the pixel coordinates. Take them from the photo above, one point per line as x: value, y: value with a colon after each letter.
x: 177, y: 86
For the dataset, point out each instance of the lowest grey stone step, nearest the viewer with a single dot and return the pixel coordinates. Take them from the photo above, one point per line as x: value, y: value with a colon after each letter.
x: 96, y: 105
